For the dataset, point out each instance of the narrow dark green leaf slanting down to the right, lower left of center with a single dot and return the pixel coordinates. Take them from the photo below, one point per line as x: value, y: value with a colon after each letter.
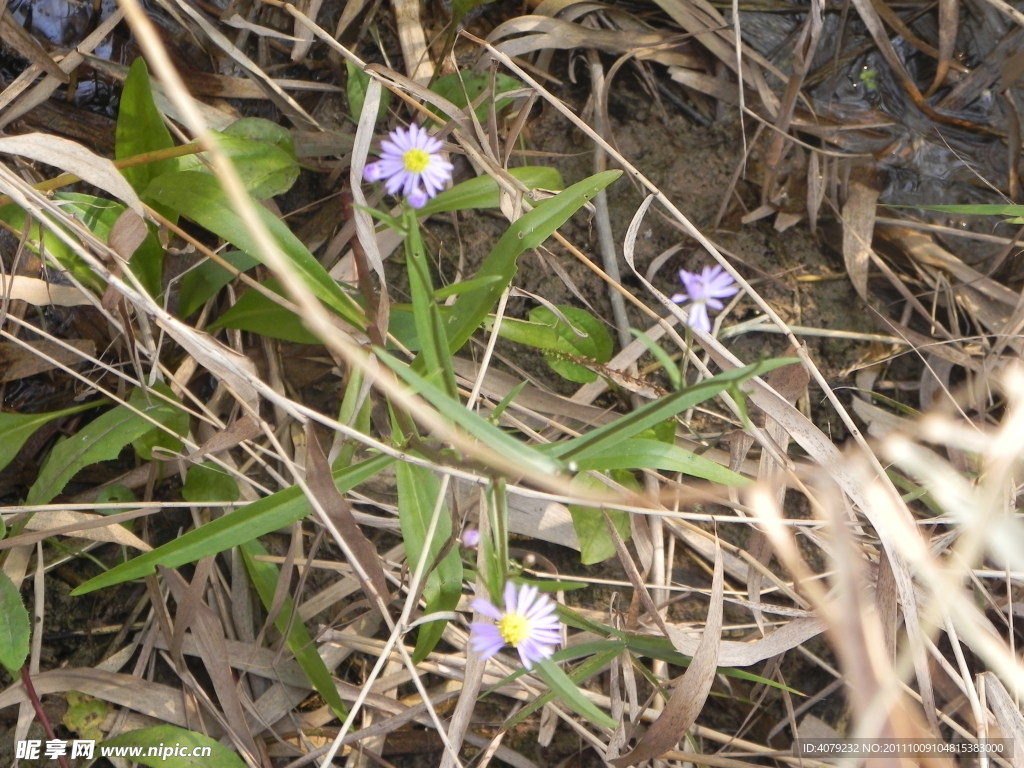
x: 265, y: 577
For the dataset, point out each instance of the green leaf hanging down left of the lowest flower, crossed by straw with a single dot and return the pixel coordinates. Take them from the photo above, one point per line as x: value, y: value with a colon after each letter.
x: 418, y: 492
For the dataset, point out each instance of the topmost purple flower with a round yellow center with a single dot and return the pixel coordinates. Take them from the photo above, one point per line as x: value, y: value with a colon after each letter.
x: 411, y: 163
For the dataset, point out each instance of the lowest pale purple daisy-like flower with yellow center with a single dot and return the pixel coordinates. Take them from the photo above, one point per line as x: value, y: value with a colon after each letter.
x: 529, y: 624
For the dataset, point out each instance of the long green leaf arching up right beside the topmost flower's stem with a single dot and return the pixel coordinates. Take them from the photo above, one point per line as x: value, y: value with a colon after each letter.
x: 530, y: 232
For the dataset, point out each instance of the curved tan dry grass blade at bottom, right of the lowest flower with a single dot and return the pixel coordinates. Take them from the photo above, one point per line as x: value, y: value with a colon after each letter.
x: 691, y: 693
